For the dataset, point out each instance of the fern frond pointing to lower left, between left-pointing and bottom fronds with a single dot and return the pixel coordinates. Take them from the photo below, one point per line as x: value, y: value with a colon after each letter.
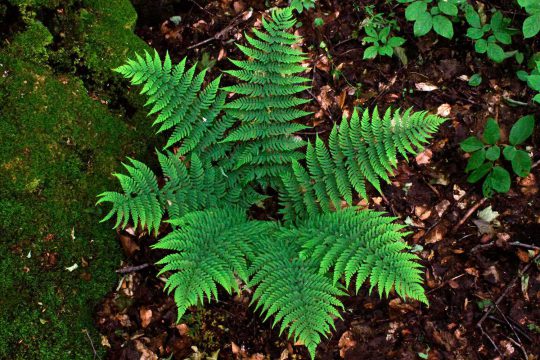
x: 209, y: 249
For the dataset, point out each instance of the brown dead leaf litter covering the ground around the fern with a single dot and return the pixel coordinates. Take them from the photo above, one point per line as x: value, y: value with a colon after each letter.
x: 480, y: 255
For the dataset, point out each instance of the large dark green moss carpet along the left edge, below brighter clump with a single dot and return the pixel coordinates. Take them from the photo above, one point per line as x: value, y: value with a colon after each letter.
x: 58, y: 150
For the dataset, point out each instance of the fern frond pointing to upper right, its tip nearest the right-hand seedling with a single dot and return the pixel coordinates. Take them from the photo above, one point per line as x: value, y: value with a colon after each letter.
x: 361, y: 150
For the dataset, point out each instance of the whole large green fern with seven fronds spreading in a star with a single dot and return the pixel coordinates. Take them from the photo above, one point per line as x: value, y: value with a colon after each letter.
x: 223, y: 151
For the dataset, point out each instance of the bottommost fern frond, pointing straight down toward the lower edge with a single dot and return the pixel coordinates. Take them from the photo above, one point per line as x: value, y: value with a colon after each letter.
x: 301, y: 300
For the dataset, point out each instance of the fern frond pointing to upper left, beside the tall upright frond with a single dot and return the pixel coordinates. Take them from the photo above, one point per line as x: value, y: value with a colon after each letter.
x: 177, y: 95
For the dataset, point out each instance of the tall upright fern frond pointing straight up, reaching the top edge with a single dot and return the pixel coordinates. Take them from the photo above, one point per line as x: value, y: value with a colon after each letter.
x: 265, y: 108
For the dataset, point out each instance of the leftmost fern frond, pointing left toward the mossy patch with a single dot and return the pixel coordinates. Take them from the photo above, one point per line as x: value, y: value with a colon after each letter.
x: 186, y: 189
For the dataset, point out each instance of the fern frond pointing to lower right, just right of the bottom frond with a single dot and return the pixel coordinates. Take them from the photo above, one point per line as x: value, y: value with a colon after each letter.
x: 364, y: 244
